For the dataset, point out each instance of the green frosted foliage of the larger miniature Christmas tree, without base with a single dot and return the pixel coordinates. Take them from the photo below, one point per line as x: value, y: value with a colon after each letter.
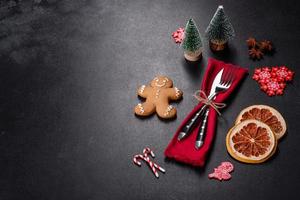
x: 219, y: 29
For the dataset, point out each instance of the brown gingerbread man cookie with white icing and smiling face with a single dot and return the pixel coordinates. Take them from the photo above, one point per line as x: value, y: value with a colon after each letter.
x: 157, y: 96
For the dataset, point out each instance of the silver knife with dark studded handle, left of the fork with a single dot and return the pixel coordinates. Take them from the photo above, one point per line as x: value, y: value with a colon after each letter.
x: 186, y: 130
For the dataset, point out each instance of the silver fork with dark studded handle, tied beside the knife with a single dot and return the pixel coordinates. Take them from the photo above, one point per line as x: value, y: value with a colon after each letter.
x: 225, y: 83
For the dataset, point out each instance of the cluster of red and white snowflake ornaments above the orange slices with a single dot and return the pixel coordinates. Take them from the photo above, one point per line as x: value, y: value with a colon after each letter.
x: 273, y: 80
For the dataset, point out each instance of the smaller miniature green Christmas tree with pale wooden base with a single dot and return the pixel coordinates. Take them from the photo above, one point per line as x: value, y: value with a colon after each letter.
x: 192, y: 42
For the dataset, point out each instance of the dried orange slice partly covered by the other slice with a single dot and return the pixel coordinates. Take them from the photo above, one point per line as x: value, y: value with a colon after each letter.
x: 266, y: 114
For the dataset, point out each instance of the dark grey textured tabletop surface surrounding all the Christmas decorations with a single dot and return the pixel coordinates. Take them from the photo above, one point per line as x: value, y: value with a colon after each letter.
x: 69, y: 70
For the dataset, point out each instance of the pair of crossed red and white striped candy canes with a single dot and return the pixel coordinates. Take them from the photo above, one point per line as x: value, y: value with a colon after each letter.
x: 146, y: 158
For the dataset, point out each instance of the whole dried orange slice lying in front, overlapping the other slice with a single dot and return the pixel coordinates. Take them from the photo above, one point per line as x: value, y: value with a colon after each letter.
x: 251, y: 141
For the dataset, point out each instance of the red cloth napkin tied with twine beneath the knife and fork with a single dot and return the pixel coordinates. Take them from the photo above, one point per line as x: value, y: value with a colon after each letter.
x: 184, y: 150
